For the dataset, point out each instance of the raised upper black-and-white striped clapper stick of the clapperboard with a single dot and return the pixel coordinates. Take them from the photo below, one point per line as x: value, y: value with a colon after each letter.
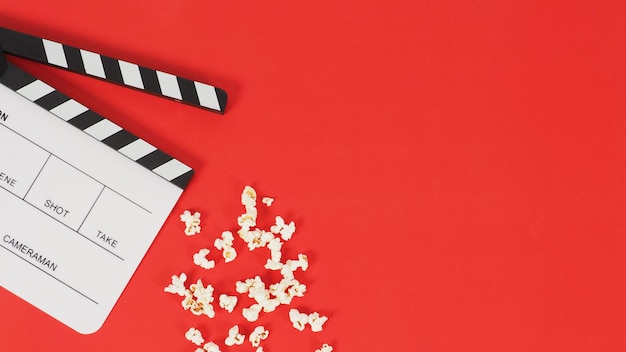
x: 114, y: 70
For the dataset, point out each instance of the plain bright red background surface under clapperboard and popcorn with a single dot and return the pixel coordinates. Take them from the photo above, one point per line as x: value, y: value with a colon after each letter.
x: 455, y: 169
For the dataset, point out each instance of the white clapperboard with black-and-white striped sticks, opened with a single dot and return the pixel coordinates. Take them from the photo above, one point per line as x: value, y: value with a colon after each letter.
x: 82, y: 199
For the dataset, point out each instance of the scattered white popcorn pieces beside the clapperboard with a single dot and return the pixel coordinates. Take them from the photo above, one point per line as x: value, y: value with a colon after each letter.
x: 198, y: 299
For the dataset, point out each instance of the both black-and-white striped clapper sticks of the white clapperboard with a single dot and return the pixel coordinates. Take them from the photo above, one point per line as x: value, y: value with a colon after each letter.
x: 99, y: 66
